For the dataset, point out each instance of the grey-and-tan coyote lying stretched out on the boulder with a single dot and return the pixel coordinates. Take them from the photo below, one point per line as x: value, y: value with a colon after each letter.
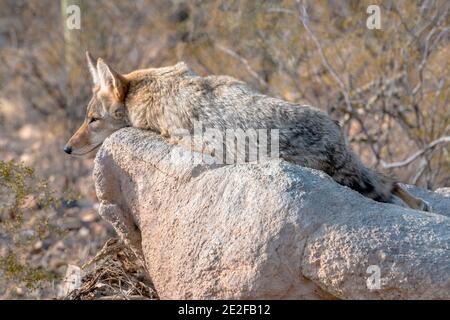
x: 166, y: 99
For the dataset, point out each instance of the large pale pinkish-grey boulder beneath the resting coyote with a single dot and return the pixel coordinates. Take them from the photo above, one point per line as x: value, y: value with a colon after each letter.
x: 266, y: 231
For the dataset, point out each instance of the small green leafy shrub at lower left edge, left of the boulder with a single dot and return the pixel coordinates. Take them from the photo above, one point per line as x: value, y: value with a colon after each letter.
x: 25, y: 200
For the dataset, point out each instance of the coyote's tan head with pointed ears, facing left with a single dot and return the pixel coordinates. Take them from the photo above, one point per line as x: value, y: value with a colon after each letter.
x: 105, y: 112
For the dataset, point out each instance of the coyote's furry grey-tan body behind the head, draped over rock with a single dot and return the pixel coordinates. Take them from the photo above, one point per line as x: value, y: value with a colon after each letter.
x: 167, y: 99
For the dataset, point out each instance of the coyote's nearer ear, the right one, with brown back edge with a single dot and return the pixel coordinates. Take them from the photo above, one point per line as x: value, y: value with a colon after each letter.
x: 109, y: 79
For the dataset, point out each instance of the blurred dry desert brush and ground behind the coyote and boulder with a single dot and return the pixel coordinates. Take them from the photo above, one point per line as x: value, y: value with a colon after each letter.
x: 389, y: 88
